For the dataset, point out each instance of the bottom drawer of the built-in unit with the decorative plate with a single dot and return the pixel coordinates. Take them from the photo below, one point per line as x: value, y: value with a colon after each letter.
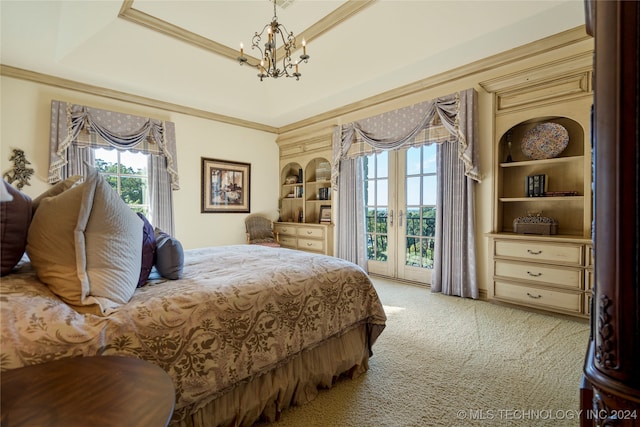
x: 538, y: 297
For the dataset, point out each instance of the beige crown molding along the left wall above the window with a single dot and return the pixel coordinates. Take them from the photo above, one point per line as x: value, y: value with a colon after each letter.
x: 19, y: 73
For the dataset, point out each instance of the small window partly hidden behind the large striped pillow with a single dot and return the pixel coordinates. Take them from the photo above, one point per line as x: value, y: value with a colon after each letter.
x: 127, y: 173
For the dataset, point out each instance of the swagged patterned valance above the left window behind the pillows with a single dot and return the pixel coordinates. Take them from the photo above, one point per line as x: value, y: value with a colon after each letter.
x: 88, y: 126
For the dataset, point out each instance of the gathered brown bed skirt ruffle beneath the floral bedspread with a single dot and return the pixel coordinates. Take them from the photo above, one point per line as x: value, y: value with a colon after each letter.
x: 295, y: 382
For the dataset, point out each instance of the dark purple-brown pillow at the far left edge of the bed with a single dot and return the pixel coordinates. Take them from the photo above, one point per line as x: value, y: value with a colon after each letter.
x: 15, y: 218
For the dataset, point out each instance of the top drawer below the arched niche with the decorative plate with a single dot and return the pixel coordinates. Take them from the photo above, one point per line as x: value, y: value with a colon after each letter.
x: 567, y: 253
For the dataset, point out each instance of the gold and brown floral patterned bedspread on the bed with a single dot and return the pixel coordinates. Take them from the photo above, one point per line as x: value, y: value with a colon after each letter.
x: 238, y: 311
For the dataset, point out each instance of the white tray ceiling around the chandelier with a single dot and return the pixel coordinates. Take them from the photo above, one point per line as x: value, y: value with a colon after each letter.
x: 387, y: 44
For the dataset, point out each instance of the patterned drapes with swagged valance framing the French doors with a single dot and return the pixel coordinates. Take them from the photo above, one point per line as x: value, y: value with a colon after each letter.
x: 448, y: 119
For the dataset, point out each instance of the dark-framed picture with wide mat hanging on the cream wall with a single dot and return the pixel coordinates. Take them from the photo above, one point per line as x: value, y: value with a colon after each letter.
x: 225, y: 186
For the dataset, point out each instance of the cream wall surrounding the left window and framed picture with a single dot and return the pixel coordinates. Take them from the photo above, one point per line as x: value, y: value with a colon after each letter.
x: 24, y: 124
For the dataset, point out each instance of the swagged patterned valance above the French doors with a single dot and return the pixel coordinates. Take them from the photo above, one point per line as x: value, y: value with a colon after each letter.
x: 448, y: 118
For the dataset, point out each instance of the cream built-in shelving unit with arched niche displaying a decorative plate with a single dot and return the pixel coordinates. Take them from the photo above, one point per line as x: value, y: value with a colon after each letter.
x: 550, y: 272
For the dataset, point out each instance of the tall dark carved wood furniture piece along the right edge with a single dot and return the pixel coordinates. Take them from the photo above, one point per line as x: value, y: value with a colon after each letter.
x: 610, y: 393
